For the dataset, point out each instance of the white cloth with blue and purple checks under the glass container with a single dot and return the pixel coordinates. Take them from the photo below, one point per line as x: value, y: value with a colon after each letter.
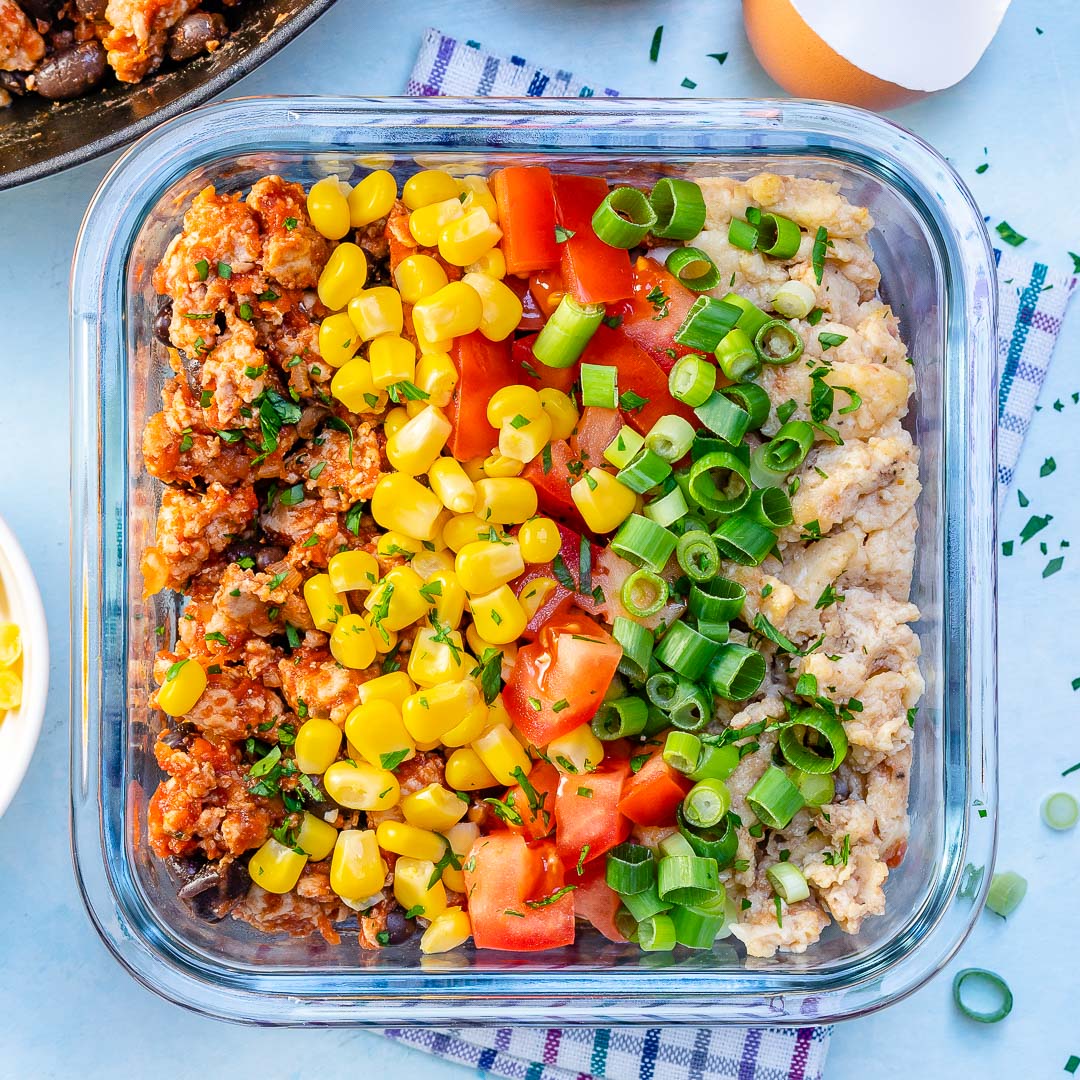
x: 1033, y: 303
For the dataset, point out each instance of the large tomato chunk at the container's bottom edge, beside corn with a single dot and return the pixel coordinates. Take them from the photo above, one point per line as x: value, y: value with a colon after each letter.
x: 506, y: 874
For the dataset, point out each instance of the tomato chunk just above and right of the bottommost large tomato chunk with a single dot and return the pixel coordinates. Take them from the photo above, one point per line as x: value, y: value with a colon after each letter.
x: 591, y: 821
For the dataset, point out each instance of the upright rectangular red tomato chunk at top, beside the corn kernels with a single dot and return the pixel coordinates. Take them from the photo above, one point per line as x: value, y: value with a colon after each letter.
x: 526, y: 204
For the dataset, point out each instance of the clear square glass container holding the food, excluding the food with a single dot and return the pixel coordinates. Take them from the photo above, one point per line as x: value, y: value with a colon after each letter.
x: 938, y: 274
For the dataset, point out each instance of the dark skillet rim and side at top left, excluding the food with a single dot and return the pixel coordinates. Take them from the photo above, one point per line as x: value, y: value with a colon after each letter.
x: 39, y: 138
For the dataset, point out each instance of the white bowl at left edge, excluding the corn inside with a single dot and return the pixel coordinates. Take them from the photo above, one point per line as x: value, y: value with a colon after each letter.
x: 21, y: 603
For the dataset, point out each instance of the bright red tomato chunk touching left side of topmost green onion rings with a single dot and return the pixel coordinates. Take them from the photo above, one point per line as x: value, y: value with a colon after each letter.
x: 595, y: 273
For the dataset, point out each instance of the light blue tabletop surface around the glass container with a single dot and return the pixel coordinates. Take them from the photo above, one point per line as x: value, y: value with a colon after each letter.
x: 69, y: 1008
